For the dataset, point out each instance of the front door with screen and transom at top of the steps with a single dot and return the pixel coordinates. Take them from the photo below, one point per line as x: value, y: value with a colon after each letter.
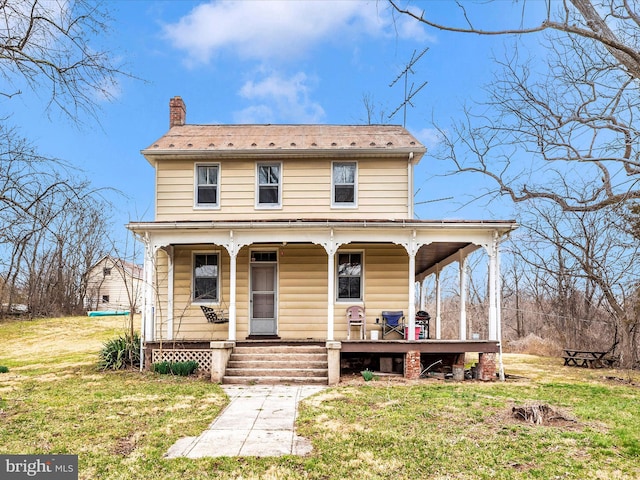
x: 263, y: 294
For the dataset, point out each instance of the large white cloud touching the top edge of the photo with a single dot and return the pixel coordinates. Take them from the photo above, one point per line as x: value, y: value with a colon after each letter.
x: 281, y: 29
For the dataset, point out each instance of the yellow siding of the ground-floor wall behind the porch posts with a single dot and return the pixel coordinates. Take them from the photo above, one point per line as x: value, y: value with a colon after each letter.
x: 302, y: 291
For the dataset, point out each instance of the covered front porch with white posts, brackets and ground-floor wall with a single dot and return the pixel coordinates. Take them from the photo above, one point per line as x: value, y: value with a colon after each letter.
x: 306, y: 283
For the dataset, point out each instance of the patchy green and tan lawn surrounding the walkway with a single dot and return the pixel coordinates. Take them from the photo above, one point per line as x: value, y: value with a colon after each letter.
x: 55, y: 400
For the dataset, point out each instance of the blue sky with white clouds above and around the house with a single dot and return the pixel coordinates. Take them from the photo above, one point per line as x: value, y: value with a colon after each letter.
x: 273, y: 62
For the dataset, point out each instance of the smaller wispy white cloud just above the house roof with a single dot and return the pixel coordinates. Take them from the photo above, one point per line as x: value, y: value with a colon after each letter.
x: 280, y: 99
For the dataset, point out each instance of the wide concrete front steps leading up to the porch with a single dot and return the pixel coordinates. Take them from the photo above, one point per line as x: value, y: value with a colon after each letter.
x: 277, y: 365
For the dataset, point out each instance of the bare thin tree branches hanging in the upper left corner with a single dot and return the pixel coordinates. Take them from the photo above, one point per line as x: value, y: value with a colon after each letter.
x: 53, y: 46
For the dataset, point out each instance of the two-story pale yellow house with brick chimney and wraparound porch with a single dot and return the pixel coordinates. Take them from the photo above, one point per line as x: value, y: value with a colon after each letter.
x: 277, y: 229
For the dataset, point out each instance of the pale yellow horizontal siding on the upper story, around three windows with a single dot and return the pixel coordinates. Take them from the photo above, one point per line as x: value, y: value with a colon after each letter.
x: 306, y: 191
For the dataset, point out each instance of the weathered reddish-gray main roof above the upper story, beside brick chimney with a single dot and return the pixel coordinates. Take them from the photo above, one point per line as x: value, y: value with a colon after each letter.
x: 287, y: 139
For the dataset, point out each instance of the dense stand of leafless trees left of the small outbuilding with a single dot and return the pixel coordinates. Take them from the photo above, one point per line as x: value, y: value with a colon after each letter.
x: 52, y: 228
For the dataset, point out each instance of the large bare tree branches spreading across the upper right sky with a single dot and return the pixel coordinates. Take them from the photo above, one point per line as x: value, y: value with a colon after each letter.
x: 563, y: 129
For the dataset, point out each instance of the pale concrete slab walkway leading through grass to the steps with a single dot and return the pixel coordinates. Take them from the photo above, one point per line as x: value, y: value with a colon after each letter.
x: 259, y: 421
